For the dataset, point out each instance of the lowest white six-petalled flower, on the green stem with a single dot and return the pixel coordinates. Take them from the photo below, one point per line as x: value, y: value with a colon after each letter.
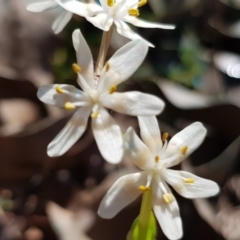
x: 154, y: 157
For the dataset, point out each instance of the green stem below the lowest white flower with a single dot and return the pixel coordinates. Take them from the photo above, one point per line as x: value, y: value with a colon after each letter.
x: 145, y: 213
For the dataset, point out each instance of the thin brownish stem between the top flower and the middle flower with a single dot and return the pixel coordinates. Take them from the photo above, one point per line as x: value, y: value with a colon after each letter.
x: 106, y: 38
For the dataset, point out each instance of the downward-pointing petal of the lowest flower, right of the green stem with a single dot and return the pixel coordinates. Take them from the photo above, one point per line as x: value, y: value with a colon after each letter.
x: 167, y: 215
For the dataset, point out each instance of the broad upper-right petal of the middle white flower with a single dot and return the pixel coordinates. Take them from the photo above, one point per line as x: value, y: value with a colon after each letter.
x: 123, y: 64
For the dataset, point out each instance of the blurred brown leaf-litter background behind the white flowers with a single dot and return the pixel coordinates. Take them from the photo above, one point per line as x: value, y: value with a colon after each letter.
x: 195, y: 69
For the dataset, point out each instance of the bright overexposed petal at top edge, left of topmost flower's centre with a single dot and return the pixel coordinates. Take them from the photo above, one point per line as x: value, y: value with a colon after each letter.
x: 79, y: 8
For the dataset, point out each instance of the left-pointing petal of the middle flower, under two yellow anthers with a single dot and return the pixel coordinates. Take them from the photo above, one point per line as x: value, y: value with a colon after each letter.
x: 48, y: 94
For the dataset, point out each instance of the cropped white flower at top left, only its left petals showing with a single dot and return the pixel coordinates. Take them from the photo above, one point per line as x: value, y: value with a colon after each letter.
x: 63, y: 16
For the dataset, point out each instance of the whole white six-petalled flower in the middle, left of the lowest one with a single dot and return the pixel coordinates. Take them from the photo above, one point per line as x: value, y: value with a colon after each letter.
x: 96, y: 97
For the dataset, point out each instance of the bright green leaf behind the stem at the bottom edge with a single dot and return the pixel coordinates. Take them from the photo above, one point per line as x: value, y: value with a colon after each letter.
x: 133, y: 234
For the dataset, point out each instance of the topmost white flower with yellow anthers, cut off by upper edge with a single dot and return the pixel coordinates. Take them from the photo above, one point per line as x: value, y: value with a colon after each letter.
x: 116, y: 12
